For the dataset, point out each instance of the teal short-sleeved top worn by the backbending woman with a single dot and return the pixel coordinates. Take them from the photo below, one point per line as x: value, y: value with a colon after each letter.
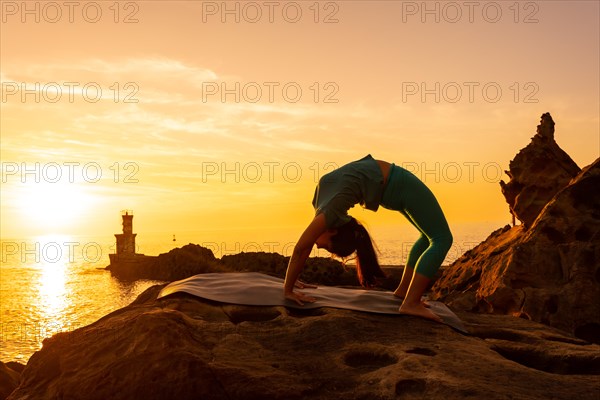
x: 358, y: 182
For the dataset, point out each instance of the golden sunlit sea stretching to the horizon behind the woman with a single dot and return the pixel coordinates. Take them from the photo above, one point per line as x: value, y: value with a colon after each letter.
x: 56, y: 283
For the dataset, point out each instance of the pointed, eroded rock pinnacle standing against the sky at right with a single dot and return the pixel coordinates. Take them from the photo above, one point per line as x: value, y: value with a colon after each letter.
x: 537, y: 173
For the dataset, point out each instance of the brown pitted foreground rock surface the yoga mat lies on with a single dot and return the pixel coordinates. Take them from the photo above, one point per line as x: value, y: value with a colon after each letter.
x: 182, y: 347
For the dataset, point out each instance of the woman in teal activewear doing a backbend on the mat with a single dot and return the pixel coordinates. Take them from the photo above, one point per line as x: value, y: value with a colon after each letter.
x: 373, y: 183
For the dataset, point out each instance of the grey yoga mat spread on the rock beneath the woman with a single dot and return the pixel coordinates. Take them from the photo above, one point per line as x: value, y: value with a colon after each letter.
x: 256, y: 289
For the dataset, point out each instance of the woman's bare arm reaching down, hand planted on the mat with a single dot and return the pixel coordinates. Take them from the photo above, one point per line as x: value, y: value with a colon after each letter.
x: 300, y: 254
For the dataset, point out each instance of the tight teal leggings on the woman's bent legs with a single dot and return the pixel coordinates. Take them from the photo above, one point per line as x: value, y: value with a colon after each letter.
x: 408, y: 195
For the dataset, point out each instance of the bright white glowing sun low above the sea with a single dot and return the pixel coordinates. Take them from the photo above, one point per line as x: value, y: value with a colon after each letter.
x: 53, y: 206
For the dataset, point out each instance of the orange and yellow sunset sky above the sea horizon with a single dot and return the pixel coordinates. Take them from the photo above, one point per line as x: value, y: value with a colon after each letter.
x: 197, y: 121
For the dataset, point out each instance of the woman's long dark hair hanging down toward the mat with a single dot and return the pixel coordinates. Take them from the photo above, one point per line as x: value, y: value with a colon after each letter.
x: 352, y: 237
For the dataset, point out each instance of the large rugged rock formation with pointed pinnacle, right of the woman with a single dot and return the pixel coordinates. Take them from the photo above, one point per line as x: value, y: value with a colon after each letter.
x: 548, y: 268
